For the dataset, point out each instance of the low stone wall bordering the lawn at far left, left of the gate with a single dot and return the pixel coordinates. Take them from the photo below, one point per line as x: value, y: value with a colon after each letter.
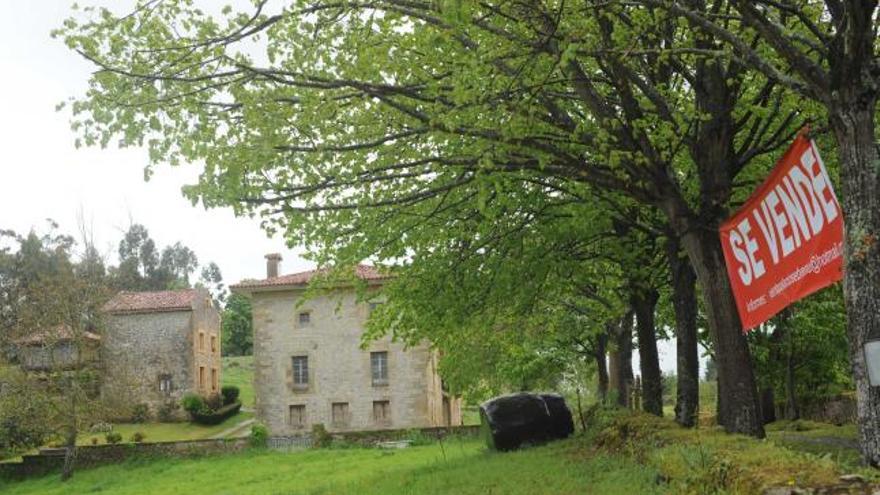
x: 49, y: 460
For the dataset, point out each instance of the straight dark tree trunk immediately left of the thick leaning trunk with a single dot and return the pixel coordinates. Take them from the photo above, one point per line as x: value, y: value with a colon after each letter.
x: 684, y: 302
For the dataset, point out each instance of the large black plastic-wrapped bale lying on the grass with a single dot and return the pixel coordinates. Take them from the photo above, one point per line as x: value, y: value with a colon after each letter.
x: 511, y: 421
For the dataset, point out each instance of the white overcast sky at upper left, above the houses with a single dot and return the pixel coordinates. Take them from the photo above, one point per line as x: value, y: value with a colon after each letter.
x: 42, y: 175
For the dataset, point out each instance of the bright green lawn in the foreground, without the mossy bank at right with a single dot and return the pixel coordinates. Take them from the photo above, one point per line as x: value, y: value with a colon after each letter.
x: 458, y: 466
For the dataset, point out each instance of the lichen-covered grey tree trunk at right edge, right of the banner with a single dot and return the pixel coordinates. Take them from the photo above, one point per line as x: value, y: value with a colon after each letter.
x: 854, y: 128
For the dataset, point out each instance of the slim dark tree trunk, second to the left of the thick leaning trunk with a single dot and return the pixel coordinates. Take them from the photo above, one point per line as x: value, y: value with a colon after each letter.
x: 644, y: 302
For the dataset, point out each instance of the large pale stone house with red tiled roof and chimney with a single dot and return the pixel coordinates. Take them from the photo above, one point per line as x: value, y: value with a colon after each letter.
x: 309, y: 366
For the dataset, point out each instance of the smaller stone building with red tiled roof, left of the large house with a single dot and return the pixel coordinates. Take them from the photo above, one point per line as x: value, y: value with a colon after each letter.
x: 158, y: 346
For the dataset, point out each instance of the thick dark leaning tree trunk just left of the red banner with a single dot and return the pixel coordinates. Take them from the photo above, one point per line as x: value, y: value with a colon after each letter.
x: 737, y: 392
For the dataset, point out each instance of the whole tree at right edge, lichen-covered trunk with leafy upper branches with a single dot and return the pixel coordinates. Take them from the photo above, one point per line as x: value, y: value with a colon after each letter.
x: 826, y: 52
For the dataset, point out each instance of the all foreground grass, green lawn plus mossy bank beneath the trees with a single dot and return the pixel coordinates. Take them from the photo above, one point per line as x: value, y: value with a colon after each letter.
x: 621, y: 453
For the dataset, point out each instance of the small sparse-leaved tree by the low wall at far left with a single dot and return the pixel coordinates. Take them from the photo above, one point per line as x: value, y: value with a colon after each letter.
x: 56, y: 301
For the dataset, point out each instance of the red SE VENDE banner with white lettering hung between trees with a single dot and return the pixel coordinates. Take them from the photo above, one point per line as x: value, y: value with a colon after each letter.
x: 786, y: 241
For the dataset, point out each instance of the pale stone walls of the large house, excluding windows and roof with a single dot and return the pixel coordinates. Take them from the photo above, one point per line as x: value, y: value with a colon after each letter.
x: 339, y: 370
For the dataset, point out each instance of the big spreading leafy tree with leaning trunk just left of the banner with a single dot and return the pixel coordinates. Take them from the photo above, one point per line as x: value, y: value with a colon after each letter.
x: 366, y: 124
